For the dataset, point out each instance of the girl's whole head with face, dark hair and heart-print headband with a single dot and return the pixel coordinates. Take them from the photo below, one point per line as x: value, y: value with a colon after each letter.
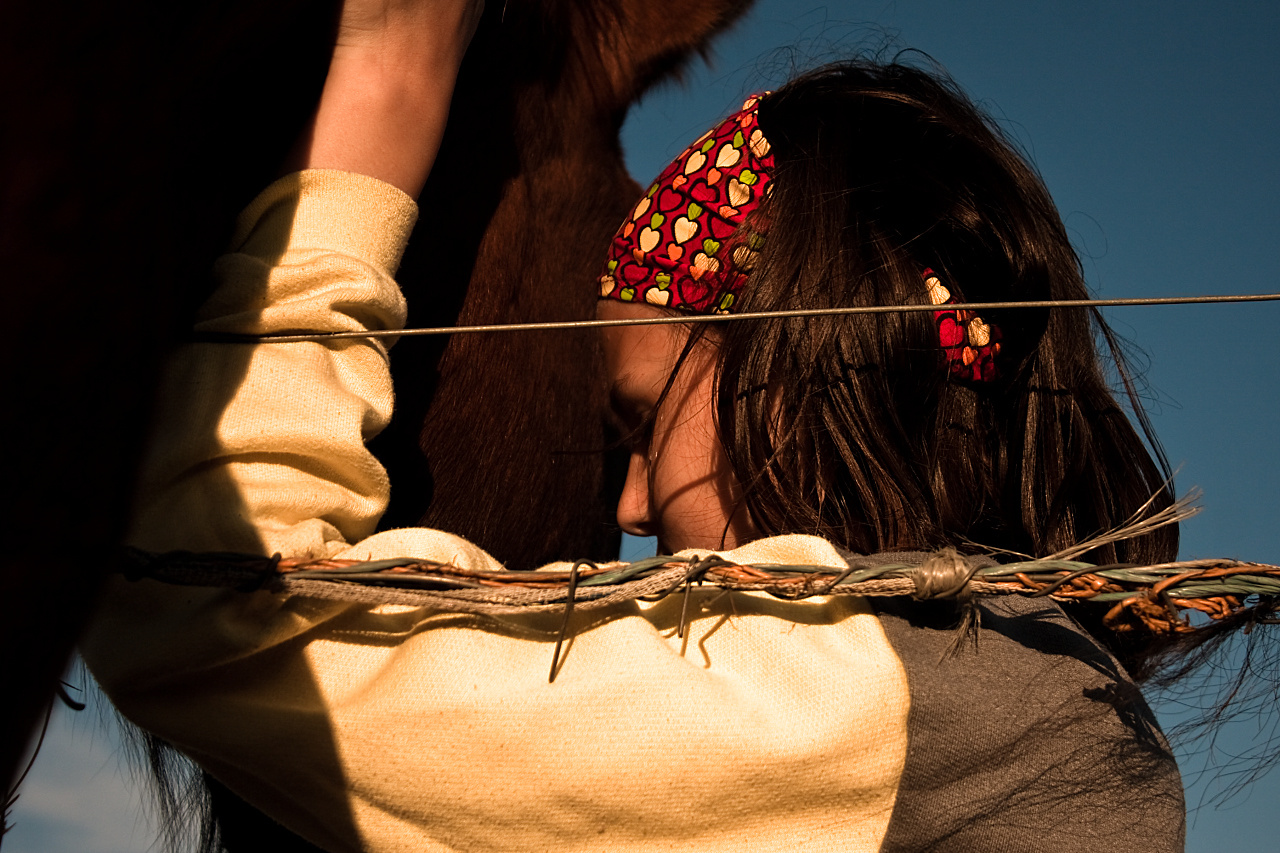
x: 867, y: 430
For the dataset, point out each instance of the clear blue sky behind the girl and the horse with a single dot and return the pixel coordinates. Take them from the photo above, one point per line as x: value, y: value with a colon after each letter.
x: 1156, y: 129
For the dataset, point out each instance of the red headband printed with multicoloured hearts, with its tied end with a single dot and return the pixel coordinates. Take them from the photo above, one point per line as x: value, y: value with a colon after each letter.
x: 682, y: 245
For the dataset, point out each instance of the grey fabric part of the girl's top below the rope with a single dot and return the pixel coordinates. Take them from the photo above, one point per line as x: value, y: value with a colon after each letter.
x: 1032, y: 741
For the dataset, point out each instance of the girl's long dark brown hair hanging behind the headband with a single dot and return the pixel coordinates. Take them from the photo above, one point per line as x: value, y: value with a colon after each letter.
x: 853, y: 428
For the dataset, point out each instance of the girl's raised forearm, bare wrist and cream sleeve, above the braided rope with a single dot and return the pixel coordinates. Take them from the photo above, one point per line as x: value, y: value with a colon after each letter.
x: 263, y: 449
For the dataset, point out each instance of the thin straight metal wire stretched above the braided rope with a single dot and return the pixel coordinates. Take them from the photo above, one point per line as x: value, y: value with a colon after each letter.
x: 222, y: 337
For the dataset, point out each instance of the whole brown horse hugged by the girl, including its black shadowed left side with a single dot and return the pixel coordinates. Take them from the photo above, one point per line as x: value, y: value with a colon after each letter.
x: 136, y: 133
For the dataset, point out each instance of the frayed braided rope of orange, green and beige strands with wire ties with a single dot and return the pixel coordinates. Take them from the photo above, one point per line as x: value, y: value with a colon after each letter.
x: 1155, y: 599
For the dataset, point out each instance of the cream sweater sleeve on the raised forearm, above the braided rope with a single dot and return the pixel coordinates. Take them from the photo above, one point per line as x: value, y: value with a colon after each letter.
x: 260, y: 449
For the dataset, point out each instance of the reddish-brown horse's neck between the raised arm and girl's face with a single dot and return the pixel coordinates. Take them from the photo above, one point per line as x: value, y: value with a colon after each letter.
x: 524, y: 199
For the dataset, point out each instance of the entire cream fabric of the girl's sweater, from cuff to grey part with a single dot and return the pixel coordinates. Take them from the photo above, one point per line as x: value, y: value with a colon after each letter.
x: 769, y: 726
